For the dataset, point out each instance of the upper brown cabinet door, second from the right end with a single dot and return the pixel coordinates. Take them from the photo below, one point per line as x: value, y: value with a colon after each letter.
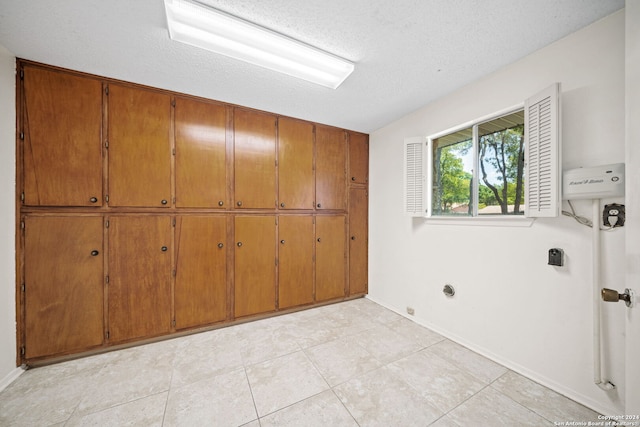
x: 331, y: 168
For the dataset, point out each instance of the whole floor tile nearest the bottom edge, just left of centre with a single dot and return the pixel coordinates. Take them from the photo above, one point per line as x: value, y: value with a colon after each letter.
x: 284, y: 381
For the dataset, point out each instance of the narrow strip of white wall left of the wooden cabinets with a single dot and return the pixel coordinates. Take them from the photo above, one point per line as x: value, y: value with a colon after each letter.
x: 7, y: 215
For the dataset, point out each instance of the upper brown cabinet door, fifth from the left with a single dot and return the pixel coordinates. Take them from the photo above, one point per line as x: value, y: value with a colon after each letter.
x: 295, y: 164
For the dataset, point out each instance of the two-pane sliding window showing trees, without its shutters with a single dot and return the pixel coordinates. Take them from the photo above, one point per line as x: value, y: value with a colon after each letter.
x: 479, y: 170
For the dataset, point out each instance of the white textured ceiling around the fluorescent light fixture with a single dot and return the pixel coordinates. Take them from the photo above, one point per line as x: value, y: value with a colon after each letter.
x: 407, y: 52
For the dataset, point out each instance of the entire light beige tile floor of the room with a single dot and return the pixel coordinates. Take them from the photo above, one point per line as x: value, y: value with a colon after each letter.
x: 349, y: 364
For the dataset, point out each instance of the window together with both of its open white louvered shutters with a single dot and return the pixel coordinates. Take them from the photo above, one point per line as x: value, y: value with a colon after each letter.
x: 506, y: 165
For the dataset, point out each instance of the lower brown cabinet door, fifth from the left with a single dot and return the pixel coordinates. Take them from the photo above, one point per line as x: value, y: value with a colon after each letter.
x: 295, y: 260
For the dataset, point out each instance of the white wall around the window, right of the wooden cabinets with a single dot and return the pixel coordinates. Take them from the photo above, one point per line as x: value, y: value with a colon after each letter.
x: 510, y: 305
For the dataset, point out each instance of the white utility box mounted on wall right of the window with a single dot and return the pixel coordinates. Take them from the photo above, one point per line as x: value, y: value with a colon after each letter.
x: 593, y: 183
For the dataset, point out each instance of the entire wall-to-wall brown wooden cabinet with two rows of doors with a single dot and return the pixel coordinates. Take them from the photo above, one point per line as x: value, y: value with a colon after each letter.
x: 148, y: 212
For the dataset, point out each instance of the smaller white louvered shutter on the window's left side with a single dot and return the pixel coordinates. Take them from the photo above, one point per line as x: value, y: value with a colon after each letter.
x: 414, y: 176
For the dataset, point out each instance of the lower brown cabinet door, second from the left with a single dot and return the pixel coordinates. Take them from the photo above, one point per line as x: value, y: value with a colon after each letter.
x: 139, y: 296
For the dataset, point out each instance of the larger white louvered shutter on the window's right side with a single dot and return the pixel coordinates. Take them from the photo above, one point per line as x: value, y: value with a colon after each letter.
x: 542, y: 153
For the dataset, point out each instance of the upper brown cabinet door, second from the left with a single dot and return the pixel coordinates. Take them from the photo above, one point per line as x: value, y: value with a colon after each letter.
x: 139, y: 148
